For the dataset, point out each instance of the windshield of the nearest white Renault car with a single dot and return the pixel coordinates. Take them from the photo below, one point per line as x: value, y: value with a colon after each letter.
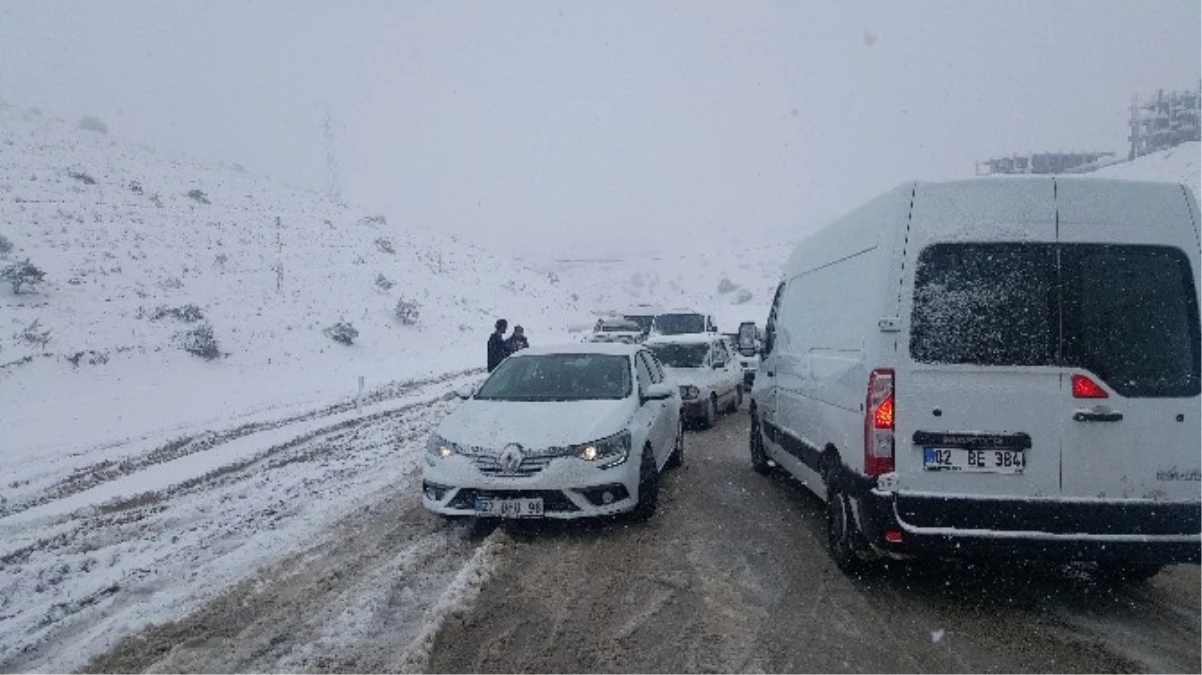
x: 560, y: 378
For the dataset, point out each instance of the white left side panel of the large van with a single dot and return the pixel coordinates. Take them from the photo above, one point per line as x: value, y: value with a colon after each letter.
x: 835, y: 296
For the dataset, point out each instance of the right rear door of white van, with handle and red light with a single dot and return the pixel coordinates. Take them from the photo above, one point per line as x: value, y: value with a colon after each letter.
x: 1129, y: 260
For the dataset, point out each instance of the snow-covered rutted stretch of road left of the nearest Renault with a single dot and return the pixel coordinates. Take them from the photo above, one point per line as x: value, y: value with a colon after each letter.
x: 139, y: 534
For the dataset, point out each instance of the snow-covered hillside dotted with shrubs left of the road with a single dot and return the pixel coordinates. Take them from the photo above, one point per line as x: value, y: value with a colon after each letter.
x: 146, y: 252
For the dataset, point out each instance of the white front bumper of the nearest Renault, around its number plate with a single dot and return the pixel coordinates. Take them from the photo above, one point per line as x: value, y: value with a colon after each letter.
x: 569, y: 487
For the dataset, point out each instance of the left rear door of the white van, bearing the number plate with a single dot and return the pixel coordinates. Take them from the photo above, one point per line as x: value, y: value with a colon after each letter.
x: 977, y: 380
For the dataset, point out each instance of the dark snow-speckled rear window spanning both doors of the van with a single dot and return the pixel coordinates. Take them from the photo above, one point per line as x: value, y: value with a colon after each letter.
x: 1126, y: 314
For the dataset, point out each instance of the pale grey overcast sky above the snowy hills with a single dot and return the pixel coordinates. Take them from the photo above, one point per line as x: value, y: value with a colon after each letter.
x: 584, y: 129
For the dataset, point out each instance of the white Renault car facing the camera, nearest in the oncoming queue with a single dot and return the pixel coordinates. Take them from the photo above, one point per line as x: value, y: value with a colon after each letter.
x: 572, y: 432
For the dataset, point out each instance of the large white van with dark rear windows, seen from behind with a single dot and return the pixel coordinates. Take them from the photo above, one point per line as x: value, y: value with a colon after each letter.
x: 996, y: 367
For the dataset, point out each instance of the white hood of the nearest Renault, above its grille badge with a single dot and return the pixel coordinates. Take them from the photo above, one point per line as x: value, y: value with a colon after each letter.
x: 493, y: 425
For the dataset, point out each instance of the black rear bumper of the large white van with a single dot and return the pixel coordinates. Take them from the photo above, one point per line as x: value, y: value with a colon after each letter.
x: 1068, y: 530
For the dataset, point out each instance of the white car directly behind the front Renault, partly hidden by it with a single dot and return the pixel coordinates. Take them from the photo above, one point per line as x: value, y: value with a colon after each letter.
x: 709, y: 375
